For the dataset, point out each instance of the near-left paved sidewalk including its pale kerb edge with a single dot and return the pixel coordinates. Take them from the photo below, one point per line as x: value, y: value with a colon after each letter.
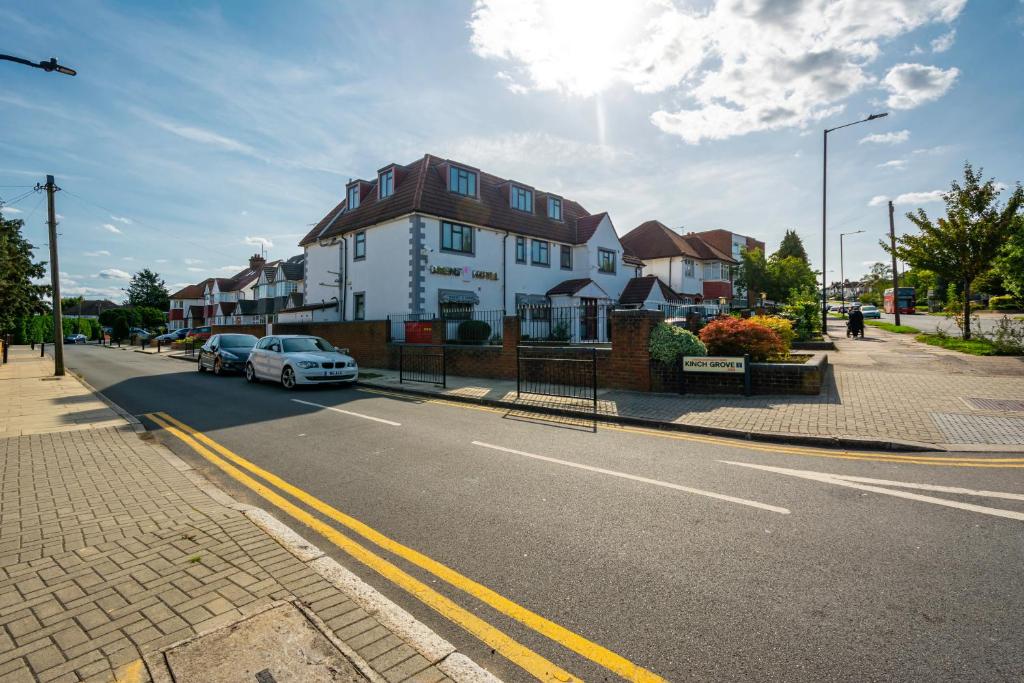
x: 113, y: 550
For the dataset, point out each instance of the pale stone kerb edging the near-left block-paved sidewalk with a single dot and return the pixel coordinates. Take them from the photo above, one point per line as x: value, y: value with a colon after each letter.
x: 421, y: 638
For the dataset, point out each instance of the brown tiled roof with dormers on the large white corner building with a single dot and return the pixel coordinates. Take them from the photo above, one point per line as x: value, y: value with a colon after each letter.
x: 422, y: 187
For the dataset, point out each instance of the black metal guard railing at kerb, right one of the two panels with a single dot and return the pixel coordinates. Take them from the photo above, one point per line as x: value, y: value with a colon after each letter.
x: 569, y: 373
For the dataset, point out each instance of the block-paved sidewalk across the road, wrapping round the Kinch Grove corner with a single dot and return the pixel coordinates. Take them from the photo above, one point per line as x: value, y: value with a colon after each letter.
x: 885, y: 392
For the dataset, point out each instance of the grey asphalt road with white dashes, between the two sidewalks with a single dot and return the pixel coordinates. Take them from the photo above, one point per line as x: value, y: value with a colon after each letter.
x: 861, y: 581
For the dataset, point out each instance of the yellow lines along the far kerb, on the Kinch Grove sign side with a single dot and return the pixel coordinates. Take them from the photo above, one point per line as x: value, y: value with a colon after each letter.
x: 943, y: 461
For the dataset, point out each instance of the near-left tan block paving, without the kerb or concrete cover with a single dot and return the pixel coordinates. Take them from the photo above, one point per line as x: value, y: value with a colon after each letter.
x: 112, y: 549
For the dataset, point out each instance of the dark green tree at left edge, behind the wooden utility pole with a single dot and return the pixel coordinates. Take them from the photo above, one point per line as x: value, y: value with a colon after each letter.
x: 20, y: 296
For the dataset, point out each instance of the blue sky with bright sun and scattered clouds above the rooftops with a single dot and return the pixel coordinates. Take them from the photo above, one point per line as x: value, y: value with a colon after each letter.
x: 198, y: 134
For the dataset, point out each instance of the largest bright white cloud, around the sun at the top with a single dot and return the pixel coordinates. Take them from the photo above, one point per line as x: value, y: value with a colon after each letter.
x: 738, y: 67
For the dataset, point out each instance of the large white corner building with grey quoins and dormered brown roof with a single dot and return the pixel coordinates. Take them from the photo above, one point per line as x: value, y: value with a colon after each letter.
x: 438, y: 237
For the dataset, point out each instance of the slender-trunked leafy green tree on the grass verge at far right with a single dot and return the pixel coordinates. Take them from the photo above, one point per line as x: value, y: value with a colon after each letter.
x: 965, y: 244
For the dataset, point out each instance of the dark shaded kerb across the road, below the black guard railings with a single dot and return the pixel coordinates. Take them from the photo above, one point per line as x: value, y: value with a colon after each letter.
x: 846, y: 443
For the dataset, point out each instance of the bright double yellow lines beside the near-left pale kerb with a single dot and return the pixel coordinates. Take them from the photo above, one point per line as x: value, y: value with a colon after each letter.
x: 530, y: 661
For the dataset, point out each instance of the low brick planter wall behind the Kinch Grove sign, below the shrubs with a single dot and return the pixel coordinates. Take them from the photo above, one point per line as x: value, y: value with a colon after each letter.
x: 766, y: 379
